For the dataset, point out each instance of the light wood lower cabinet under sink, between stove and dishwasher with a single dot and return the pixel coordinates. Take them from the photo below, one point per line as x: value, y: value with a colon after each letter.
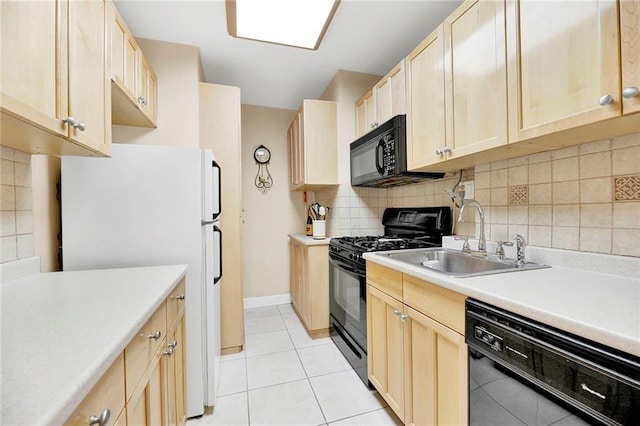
x: 417, y: 363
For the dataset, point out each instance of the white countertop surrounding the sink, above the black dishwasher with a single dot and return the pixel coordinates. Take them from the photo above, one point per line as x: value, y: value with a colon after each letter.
x: 602, y: 307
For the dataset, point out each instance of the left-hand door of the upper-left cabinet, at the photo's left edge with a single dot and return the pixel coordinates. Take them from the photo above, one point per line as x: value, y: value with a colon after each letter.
x: 30, y: 71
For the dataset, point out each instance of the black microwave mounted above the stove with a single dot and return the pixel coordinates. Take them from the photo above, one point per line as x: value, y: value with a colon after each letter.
x: 379, y: 158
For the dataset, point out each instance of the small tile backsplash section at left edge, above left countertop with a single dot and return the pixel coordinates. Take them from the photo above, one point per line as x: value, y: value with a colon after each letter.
x: 16, y: 214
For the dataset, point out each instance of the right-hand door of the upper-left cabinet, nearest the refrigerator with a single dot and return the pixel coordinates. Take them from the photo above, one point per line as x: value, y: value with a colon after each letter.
x: 87, y: 82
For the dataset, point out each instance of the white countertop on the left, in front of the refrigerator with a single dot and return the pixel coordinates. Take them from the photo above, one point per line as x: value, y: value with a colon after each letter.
x: 61, y: 331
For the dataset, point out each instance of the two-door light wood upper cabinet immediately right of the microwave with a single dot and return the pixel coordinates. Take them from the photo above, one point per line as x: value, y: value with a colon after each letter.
x: 456, y: 87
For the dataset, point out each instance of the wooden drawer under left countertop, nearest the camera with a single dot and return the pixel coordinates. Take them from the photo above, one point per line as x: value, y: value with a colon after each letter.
x: 107, y: 394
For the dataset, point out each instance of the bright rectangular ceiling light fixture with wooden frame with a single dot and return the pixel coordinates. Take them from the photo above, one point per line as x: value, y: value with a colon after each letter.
x: 289, y: 22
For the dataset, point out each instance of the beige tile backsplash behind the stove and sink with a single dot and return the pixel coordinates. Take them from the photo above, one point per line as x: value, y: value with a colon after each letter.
x: 584, y: 197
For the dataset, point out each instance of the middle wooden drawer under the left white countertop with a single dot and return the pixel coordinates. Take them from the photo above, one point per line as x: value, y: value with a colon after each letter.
x: 141, y: 349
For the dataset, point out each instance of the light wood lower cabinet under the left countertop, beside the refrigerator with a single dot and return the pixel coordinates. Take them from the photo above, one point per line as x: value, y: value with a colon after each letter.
x: 146, y: 384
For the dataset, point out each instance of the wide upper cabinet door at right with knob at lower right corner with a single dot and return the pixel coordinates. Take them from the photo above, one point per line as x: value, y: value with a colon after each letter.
x: 564, y: 61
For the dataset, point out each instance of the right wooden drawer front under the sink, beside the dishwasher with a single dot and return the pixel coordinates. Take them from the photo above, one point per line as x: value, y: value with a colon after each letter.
x: 444, y: 306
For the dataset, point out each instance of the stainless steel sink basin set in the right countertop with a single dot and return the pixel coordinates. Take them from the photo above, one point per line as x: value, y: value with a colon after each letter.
x: 458, y: 264
